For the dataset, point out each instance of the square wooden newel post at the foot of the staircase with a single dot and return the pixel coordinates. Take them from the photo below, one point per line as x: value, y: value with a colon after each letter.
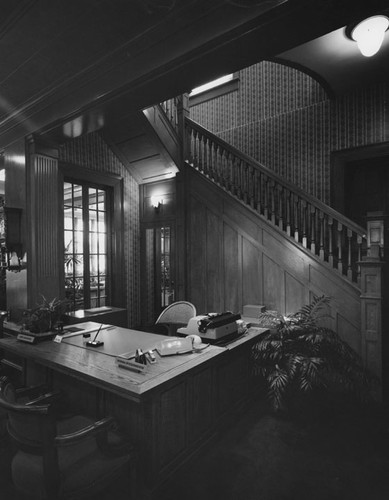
x: 372, y: 295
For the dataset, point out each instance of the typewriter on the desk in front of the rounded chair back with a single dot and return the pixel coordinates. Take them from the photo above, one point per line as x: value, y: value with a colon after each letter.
x: 212, y: 326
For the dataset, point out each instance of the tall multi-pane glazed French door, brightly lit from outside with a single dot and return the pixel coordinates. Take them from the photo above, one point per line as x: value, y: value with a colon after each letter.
x: 86, y: 229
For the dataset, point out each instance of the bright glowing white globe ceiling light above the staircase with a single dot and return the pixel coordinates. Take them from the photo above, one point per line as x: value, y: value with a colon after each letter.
x: 369, y: 34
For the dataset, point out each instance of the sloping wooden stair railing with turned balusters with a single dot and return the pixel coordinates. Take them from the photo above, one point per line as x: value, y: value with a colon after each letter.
x: 317, y: 227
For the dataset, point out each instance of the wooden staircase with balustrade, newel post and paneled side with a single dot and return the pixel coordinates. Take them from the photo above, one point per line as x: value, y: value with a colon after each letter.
x: 311, y: 248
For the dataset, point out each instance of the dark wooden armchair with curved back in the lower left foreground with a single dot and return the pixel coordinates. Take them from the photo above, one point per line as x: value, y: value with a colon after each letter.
x: 67, y: 458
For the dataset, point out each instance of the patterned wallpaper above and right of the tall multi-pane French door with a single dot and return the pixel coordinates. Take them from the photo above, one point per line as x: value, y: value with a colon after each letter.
x: 92, y: 152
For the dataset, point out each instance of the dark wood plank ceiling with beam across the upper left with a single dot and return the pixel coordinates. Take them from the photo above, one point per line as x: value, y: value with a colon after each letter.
x: 93, y: 62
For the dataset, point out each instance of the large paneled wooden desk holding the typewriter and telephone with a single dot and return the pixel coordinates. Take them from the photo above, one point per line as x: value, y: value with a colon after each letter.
x: 169, y: 412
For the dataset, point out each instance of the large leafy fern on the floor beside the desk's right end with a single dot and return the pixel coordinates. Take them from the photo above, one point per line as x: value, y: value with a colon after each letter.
x: 300, y: 356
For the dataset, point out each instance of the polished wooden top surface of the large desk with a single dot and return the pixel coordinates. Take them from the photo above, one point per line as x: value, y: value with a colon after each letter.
x: 98, y: 366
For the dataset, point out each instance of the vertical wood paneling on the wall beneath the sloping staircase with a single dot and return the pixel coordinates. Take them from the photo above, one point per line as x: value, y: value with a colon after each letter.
x: 269, y: 268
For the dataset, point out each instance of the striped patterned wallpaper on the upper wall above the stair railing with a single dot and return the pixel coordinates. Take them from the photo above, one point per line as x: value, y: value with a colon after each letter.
x: 285, y: 120
